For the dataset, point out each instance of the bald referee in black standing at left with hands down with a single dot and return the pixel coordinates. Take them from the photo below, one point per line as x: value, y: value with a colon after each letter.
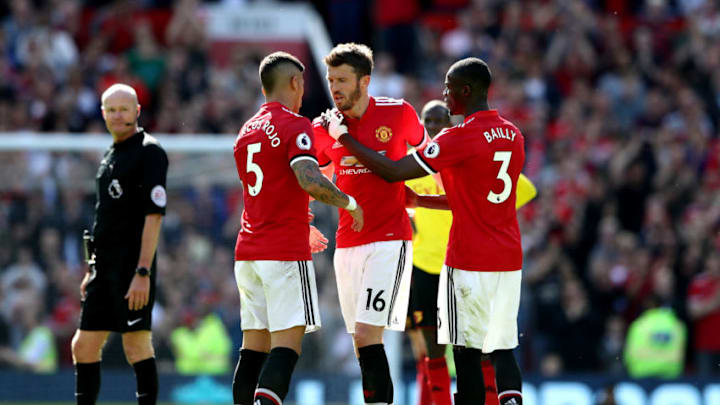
x: 118, y: 291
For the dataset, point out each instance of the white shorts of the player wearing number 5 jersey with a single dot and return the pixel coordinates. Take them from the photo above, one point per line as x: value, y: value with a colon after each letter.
x: 277, y: 295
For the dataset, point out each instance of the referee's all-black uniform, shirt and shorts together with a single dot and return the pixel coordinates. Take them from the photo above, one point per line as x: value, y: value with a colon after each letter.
x: 130, y: 185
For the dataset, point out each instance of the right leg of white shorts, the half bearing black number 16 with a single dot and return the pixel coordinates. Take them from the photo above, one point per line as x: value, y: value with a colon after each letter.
x: 385, y: 285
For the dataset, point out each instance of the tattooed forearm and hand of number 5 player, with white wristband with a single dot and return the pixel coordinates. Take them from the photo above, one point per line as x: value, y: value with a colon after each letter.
x: 320, y: 188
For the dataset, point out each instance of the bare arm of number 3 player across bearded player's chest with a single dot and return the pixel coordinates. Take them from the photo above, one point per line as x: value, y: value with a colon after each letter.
x: 390, y: 170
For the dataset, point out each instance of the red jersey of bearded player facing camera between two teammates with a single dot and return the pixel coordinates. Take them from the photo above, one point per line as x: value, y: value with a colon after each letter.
x: 387, y: 126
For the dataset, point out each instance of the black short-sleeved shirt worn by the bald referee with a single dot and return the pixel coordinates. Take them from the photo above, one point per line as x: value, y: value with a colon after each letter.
x: 130, y: 185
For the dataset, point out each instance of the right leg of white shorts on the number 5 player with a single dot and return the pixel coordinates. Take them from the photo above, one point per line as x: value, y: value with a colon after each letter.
x: 291, y: 293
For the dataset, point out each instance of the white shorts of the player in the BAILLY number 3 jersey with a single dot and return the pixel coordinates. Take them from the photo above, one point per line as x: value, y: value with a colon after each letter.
x: 479, y: 309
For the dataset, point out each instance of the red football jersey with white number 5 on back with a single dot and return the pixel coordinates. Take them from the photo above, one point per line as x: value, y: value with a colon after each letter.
x: 275, y: 219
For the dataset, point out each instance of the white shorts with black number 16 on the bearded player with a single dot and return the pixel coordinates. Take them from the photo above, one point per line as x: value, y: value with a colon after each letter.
x: 374, y: 283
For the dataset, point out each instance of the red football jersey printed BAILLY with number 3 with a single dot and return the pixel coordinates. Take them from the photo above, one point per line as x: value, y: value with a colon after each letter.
x: 479, y: 162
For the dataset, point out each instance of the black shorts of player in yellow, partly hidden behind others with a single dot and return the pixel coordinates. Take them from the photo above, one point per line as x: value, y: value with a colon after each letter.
x: 422, y: 309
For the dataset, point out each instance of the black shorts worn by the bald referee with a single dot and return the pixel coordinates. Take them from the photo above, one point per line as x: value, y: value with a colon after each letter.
x: 105, y: 307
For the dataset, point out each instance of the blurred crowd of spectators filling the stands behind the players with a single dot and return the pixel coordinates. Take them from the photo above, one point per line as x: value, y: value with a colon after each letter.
x: 619, y: 103
